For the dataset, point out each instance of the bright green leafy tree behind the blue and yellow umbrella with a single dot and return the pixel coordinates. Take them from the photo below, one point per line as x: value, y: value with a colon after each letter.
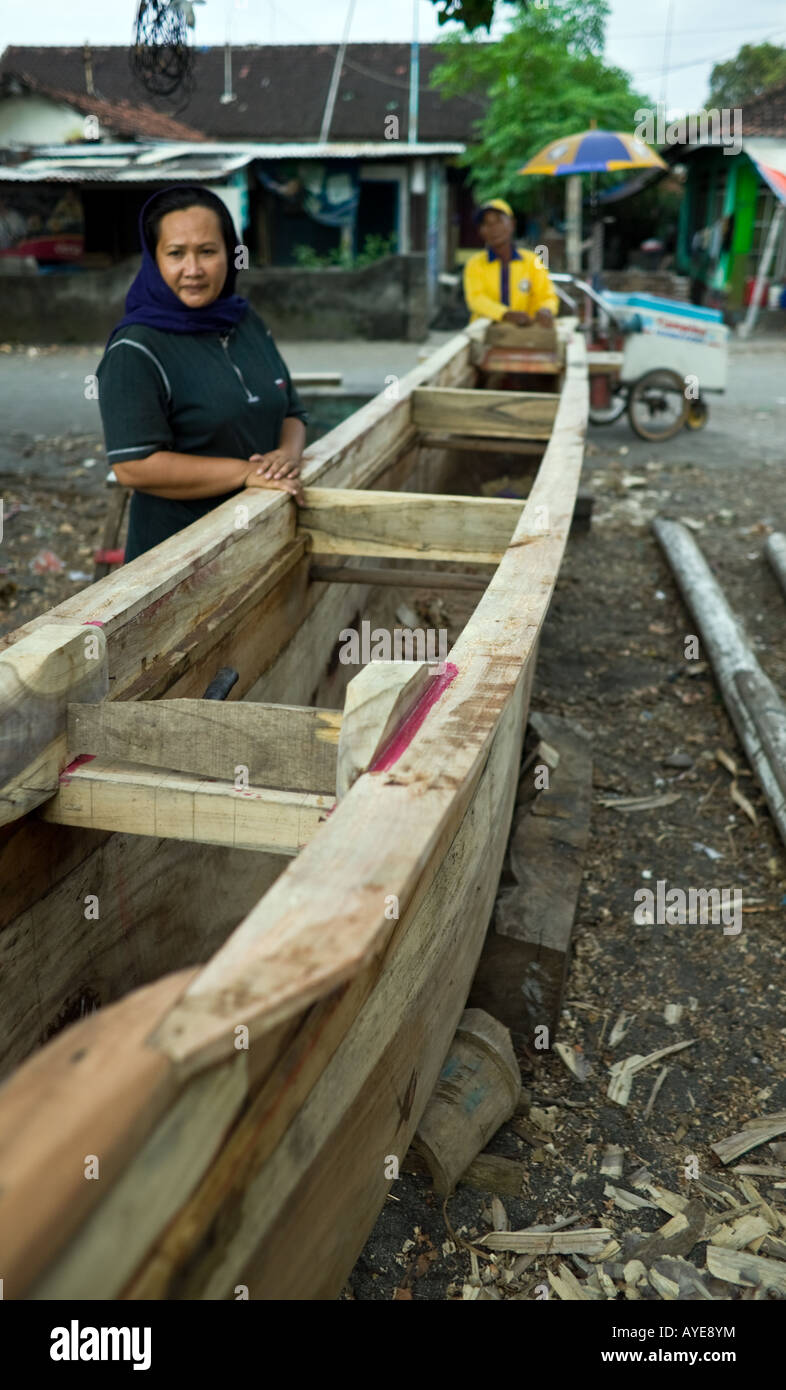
x: 543, y: 80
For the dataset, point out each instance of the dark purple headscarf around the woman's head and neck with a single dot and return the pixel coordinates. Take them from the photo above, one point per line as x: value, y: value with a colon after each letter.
x: 152, y: 302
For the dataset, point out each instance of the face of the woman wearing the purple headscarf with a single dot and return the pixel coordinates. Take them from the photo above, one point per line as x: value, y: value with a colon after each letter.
x: 193, y: 256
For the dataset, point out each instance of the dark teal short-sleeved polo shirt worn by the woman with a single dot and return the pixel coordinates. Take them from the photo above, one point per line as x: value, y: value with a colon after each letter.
x: 222, y: 395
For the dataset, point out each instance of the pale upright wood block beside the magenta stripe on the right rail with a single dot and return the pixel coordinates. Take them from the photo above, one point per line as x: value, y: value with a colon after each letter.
x: 379, y: 700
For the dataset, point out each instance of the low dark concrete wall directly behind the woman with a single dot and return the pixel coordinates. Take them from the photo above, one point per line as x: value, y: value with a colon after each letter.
x: 386, y: 300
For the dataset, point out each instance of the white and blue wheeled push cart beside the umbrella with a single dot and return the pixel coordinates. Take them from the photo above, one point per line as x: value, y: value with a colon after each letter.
x: 655, y: 358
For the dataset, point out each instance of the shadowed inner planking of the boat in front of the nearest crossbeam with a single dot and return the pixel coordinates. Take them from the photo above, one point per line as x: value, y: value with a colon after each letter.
x: 130, y: 911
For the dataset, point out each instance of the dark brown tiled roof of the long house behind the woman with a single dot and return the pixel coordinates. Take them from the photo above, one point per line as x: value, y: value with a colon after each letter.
x: 282, y: 91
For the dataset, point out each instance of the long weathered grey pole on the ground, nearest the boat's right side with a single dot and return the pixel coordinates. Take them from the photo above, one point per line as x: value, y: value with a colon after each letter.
x: 752, y: 700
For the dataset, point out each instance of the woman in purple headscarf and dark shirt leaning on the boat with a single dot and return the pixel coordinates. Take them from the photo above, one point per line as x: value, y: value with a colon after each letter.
x: 197, y: 402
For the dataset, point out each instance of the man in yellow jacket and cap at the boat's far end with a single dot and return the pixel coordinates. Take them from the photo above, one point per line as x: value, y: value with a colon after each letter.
x: 507, y: 283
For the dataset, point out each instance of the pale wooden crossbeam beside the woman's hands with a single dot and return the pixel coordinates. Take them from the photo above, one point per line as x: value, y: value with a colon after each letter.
x: 408, y: 525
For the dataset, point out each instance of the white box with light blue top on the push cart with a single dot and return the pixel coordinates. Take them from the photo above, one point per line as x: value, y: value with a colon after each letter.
x: 675, y: 336
